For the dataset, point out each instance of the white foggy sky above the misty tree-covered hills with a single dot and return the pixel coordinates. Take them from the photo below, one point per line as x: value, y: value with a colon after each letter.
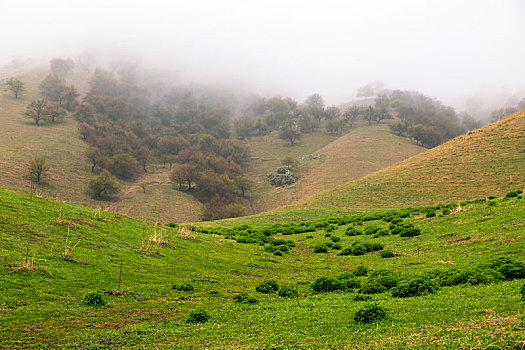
x: 443, y: 48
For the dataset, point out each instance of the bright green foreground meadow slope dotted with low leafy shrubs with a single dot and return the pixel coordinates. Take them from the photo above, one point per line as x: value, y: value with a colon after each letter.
x: 178, y: 287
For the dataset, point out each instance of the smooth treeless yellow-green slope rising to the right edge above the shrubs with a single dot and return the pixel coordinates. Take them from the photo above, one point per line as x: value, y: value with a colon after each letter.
x: 487, y: 161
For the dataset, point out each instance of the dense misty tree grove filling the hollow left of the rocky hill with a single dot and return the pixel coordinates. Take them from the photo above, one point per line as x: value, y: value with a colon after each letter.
x: 128, y: 128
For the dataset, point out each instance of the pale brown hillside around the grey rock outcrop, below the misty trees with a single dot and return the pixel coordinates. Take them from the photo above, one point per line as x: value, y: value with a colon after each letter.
x: 359, y: 152
